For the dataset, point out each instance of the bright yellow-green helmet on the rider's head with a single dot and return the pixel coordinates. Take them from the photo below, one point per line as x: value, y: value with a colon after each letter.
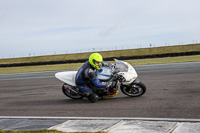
x: 95, y: 60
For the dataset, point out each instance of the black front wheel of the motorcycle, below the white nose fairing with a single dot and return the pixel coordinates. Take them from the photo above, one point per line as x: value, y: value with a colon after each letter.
x: 134, y: 90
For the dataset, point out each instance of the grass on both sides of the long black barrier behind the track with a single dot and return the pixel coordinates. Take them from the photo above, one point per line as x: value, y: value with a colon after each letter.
x: 116, y: 53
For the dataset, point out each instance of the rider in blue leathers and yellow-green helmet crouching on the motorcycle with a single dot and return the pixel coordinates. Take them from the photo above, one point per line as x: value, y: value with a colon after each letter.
x: 86, y: 78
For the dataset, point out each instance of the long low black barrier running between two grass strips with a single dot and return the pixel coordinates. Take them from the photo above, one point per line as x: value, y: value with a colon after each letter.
x: 105, y: 59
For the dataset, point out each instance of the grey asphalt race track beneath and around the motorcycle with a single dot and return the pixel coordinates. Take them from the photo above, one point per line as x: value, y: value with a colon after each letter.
x: 173, y: 91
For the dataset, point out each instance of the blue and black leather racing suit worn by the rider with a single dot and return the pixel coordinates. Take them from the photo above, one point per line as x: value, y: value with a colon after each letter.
x: 86, y: 79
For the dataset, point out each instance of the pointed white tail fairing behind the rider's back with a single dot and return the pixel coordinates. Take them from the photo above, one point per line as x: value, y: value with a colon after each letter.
x: 67, y: 77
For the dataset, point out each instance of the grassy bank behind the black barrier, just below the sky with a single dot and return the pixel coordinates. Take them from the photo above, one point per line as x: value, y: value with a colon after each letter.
x: 115, y: 53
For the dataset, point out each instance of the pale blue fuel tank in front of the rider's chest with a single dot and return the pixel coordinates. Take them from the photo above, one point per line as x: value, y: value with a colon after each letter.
x: 104, y: 74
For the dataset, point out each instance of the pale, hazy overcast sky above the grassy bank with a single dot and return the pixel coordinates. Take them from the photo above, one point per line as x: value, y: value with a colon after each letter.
x: 48, y: 27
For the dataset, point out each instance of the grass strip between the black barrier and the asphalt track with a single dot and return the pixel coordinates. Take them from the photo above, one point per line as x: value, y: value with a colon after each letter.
x: 70, y: 66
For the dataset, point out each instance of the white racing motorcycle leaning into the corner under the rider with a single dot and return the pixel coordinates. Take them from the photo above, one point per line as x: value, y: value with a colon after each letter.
x: 121, y: 73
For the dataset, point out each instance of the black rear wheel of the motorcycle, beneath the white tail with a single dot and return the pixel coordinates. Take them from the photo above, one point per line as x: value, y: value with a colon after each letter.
x: 70, y: 91
